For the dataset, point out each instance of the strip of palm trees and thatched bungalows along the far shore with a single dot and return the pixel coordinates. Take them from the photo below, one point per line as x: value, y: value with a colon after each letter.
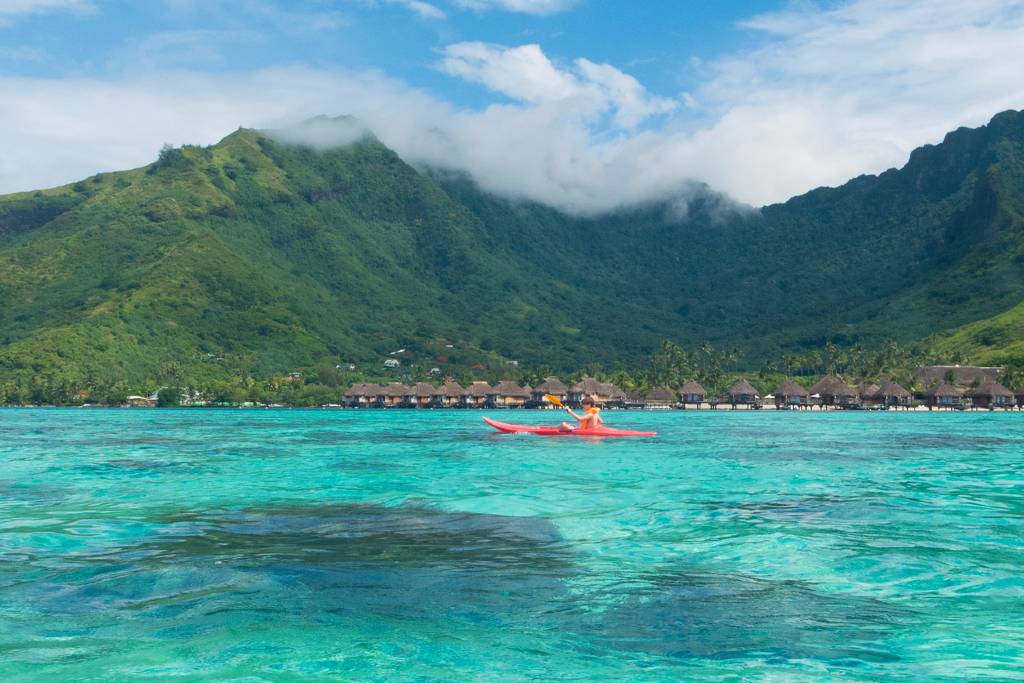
x: 930, y: 389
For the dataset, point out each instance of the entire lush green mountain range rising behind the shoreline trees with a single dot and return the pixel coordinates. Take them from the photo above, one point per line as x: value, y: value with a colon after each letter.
x: 261, y: 258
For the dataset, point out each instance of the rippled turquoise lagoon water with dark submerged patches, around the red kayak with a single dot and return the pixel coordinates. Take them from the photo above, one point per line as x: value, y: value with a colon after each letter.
x: 273, y: 545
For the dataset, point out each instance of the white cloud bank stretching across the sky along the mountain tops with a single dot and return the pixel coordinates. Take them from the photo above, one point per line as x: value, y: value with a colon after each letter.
x: 828, y: 95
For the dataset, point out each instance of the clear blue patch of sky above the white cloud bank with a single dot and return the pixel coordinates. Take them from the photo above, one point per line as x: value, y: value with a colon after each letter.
x: 661, y: 42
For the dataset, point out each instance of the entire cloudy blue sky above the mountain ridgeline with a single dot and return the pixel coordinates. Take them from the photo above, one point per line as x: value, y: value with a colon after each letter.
x: 582, y: 104
